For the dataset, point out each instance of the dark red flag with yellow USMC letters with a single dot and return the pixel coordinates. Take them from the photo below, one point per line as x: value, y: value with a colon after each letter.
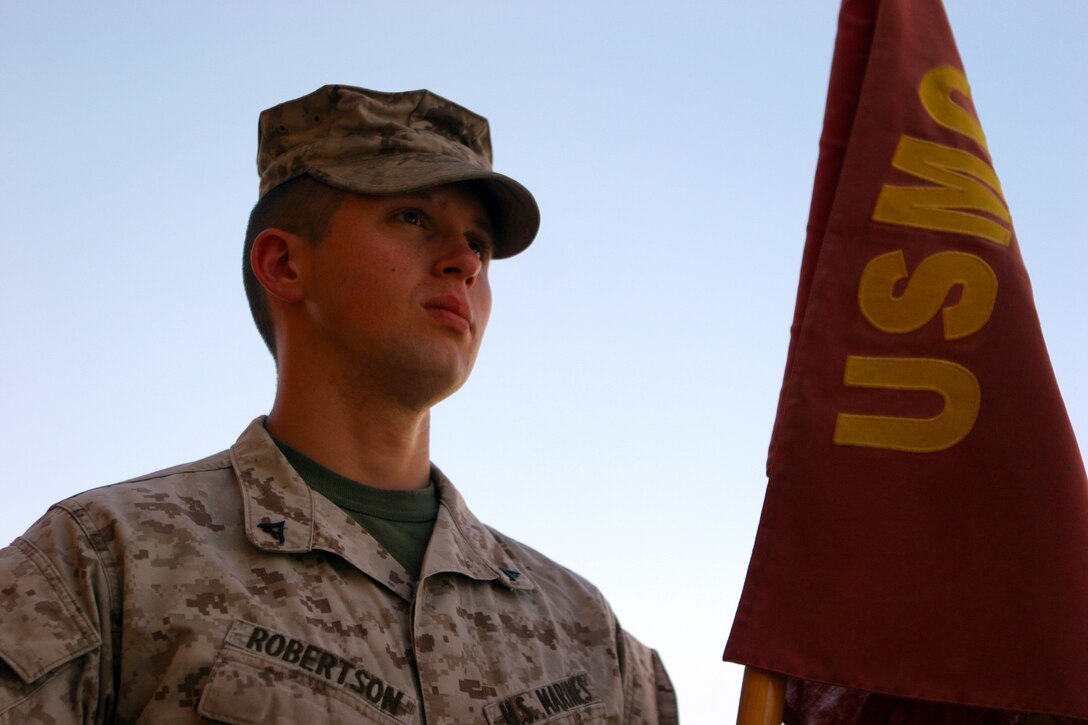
x: 925, y: 531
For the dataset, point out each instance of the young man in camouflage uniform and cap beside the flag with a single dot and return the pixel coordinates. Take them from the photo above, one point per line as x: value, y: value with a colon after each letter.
x: 323, y: 570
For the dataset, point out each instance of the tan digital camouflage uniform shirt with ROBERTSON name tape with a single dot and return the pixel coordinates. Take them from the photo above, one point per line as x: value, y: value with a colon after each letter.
x: 227, y: 591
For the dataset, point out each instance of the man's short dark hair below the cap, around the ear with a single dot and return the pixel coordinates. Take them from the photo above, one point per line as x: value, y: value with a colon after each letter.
x: 302, y: 206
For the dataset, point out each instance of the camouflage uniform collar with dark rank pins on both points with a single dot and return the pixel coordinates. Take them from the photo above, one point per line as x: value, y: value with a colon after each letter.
x: 285, y: 515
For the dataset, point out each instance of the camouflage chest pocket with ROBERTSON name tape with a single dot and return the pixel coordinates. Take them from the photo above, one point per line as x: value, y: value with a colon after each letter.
x: 264, y: 677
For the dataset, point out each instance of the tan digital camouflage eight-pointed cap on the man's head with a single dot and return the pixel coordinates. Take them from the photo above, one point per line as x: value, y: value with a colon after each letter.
x: 369, y: 142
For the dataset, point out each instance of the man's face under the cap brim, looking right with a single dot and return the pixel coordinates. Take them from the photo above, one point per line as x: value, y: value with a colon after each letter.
x: 398, y: 296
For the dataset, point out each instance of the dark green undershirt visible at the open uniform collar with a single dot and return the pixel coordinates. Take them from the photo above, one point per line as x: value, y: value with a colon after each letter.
x: 401, y: 521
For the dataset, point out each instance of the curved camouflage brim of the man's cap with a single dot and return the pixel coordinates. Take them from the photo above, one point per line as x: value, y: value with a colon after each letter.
x: 513, y: 208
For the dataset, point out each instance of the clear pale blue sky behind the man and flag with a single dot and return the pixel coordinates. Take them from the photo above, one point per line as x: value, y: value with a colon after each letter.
x: 620, y: 416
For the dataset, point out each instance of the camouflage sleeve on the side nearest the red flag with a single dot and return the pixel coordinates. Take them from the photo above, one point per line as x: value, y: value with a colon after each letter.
x: 648, y: 692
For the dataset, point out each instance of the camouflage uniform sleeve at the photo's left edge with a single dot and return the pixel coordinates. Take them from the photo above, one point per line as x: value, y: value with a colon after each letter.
x: 54, y: 625
